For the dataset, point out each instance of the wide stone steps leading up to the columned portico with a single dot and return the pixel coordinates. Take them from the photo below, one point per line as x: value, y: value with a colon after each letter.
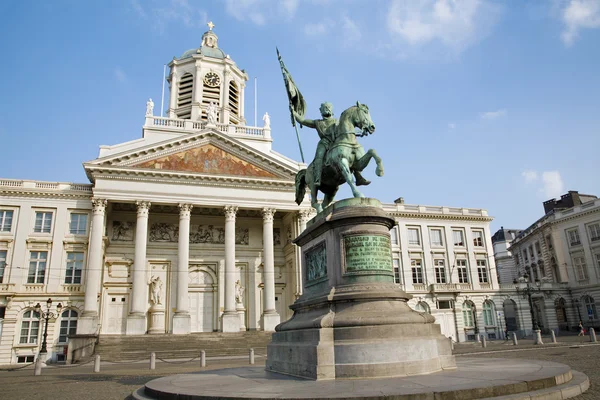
x: 215, y: 344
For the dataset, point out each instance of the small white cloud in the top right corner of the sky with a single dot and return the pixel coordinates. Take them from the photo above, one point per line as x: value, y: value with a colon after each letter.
x: 578, y: 15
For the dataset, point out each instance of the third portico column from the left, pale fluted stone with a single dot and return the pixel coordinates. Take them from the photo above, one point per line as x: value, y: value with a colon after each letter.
x: 181, y: 319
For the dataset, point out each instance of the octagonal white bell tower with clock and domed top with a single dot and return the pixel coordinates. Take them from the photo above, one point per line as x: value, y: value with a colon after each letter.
x: 203, y: 76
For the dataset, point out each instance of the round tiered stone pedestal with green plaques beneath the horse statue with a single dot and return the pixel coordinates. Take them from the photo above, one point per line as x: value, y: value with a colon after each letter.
x: 352, y: 320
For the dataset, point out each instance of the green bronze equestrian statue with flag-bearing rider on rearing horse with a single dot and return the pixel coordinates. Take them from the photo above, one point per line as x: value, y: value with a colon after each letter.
x: 339, y: 157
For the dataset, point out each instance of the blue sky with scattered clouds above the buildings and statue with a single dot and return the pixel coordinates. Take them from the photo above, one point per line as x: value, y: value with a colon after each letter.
x: 477, y: 103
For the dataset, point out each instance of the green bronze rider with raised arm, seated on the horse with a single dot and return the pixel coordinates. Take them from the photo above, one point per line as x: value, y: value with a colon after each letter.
x: 326, y: 129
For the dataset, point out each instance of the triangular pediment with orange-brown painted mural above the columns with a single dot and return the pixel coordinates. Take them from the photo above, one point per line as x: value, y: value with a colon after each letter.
x: 207, y: 153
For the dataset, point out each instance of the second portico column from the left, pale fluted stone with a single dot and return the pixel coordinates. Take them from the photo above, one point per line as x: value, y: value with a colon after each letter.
x: 136, y: 320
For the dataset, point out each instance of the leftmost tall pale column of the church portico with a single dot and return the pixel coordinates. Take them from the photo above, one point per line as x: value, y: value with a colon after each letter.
x: 88, y: 323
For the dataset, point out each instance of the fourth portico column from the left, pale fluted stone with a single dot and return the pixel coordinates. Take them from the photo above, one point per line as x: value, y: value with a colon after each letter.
x: 230, y: 319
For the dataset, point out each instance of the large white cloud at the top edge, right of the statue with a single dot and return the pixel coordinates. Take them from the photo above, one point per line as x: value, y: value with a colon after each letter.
x: 455, y: 23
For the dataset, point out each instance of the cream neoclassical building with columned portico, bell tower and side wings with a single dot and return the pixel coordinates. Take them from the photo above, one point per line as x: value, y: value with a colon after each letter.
x: 189, y: 229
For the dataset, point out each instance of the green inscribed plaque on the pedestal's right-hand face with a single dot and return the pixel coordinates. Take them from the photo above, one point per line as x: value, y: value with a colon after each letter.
x: 367, y: 253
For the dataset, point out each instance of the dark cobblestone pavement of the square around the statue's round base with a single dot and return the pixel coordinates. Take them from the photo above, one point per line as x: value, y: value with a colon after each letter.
x: 118, y: 381
